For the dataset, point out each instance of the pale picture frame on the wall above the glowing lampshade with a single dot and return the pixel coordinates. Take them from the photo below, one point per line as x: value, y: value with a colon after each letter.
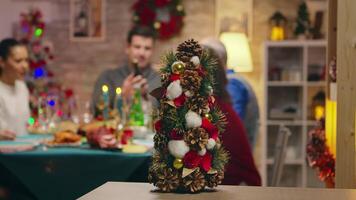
x: 234, y: 15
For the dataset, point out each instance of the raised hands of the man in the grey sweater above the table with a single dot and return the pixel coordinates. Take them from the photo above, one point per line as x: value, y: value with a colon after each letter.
x: 128, y: 86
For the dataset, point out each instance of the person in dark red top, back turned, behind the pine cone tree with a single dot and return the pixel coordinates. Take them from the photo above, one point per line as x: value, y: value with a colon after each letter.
x: 241, y: 167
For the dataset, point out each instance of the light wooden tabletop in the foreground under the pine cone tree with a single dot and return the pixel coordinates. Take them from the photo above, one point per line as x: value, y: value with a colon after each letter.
x: 143, y: 191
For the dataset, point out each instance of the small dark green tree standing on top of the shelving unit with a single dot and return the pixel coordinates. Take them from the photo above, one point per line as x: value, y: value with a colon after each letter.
x: 303, y: 22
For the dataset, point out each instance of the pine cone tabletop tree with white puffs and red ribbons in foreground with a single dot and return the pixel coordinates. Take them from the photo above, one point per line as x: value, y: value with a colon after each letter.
x: 189, y: 155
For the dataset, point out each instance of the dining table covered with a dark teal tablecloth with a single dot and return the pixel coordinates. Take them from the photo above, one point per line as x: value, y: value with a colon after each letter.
x: 65, y: 173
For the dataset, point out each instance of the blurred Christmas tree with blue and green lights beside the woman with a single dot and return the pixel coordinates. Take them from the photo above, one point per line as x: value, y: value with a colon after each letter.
x: 48, y: 98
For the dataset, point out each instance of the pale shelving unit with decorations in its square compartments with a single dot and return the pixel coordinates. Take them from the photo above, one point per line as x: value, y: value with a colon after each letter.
x: 294, y: 86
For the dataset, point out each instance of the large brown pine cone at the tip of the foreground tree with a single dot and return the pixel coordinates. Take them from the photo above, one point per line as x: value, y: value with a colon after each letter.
x: 188, y: 49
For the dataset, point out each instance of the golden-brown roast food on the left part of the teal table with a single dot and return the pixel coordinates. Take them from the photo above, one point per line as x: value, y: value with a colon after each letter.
x: 65, y: 139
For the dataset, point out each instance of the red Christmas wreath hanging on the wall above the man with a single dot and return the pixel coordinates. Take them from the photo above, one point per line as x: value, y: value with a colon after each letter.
x: 164, y: 16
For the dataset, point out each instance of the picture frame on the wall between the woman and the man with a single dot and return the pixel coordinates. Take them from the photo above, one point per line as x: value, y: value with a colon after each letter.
x: 87, y: 21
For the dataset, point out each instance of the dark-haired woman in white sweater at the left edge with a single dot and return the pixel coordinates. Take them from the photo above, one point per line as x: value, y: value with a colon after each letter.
x: 14, y: 95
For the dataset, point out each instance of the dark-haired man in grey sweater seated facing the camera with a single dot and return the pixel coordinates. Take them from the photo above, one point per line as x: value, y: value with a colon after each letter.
x: 139, y: 50
